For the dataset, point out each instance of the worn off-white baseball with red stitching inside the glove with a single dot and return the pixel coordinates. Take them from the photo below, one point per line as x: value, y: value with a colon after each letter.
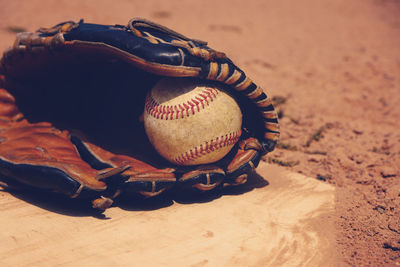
x: 190, y: 122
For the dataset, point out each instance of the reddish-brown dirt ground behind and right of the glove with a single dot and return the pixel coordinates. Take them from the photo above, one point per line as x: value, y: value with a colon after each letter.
x: 333, y: 68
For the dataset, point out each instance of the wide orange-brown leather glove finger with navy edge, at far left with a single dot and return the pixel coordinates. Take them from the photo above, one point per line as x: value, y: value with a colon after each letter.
x: 38, y: 155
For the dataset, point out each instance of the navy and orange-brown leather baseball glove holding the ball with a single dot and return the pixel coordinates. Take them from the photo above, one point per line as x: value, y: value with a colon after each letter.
x: 71, y: 100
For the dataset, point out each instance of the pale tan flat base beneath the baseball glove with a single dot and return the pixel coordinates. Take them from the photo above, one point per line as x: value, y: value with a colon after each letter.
x: 282, y: 222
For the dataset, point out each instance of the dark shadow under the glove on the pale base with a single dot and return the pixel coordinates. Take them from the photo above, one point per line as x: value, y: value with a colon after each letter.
x: 82, y: 208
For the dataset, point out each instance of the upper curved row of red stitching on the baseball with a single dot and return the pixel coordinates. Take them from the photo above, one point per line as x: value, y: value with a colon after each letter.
x: 164, y: 112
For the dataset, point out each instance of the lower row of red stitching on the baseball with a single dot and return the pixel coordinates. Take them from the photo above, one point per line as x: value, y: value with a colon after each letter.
x: 208, y: 147
